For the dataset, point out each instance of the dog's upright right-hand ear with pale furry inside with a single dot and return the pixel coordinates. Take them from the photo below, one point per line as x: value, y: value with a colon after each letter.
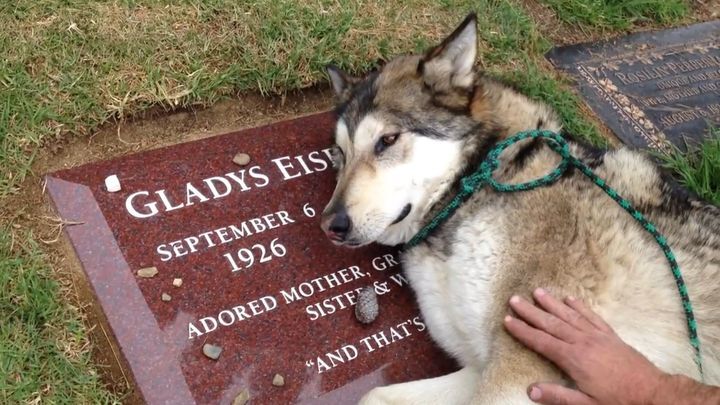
x: 450, y: 64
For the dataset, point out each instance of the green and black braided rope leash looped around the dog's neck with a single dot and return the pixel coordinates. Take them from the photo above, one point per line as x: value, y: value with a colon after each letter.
x: 483, y: 176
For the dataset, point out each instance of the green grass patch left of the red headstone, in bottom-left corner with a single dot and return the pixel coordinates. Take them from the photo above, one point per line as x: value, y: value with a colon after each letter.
x: 43, y: 342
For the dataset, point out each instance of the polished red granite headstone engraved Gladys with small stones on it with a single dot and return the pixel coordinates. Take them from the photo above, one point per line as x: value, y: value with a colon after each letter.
x: 259, y: 278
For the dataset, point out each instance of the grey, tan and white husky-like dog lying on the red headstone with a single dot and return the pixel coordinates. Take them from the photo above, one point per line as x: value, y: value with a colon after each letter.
x: 409, y: 131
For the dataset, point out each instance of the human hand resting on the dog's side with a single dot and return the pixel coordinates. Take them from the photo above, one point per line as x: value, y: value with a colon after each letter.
x: 605, y: 369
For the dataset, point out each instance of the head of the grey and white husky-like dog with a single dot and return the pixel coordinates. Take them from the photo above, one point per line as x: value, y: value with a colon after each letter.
x: 399, y: 140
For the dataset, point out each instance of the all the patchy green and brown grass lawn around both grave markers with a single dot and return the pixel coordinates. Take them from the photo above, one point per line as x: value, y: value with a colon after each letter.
x: 69, y: 66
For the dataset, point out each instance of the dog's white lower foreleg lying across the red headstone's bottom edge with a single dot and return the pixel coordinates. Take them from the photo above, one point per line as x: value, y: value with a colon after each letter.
x: 455, y: 388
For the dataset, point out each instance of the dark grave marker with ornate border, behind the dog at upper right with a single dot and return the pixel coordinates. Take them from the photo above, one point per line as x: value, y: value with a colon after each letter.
x: 651, y: 88
